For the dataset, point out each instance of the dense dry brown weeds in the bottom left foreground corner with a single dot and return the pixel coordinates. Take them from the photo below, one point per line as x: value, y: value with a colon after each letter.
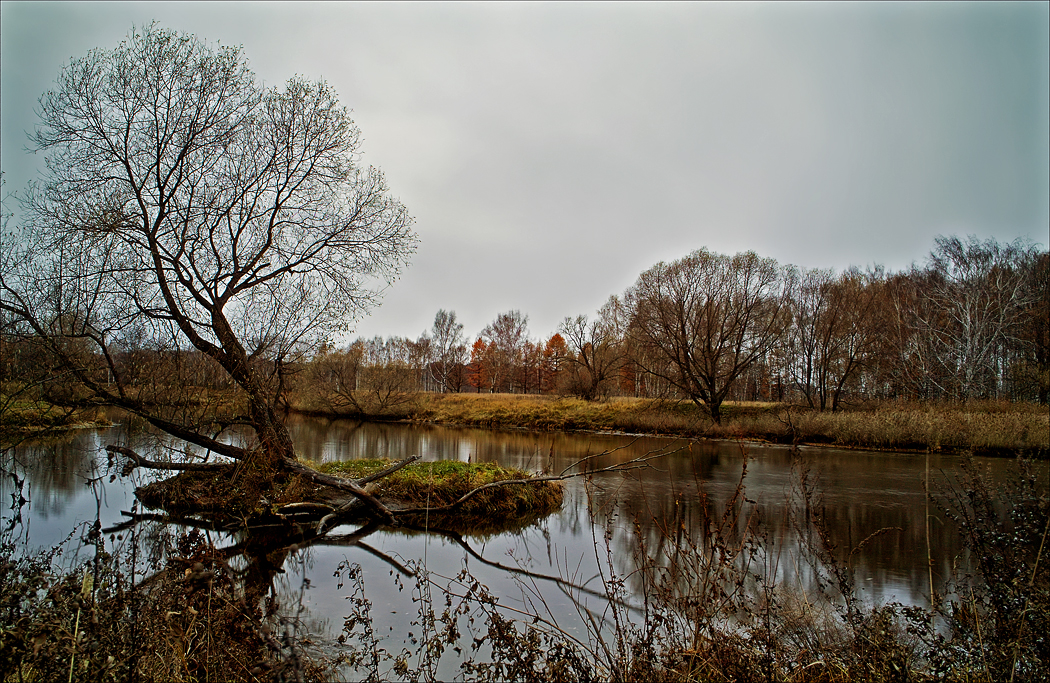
x: 193, y: 622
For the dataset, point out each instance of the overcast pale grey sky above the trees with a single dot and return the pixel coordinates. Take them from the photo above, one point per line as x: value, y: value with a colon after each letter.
x: 551, y: 154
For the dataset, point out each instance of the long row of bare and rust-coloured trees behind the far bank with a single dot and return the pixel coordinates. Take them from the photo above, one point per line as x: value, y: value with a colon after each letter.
x: 972, y: 323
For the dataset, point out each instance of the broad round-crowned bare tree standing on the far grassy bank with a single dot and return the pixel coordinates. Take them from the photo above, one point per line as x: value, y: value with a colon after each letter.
x: 703, y: 321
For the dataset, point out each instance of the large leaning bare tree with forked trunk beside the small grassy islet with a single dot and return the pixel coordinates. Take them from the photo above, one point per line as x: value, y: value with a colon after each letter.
x: 186, y: 201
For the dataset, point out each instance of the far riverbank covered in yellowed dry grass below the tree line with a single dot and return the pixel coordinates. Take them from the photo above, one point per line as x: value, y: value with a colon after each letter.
x: 985, y: 428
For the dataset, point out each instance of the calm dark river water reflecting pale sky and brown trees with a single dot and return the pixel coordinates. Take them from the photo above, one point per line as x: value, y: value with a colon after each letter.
x: 874, y: 504
